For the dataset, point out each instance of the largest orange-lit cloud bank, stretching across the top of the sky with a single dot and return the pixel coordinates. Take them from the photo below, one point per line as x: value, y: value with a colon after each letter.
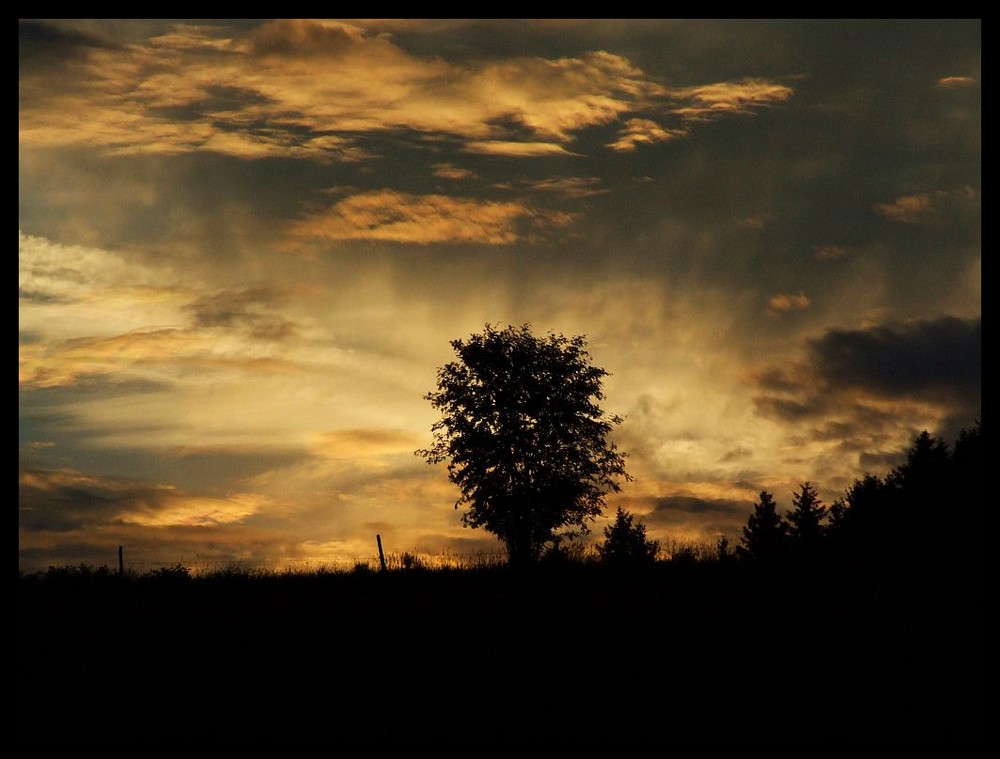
x: 314, y: 89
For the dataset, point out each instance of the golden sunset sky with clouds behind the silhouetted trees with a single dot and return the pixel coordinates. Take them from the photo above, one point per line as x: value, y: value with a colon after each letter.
x: 245, y: 246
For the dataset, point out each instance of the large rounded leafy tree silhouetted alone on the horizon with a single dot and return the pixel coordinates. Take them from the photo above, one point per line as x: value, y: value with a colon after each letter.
x: 524, y: 437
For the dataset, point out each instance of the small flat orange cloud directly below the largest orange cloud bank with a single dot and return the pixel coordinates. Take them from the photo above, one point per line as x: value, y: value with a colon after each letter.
x: 422, y: 219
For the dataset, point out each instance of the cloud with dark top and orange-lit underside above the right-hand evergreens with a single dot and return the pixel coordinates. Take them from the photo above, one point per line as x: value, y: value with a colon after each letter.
x: 861, y: 392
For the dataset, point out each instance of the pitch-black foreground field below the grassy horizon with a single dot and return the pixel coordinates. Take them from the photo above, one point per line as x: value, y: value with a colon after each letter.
x: 566, y: 655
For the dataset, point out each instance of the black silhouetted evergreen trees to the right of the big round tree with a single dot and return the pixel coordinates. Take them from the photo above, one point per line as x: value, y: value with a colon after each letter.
x: 925, y: 510
